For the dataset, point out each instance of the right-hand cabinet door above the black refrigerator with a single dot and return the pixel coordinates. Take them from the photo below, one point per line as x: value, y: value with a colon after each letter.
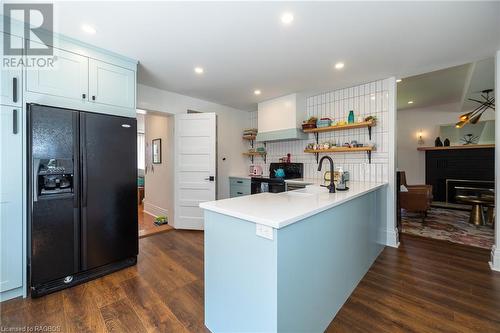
x: 111, y: 85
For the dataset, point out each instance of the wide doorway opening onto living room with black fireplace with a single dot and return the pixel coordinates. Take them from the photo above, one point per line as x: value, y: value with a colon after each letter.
x: 446, y: 154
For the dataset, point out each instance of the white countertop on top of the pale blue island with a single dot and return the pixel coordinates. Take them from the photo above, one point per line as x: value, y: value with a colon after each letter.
x: 278, y: 210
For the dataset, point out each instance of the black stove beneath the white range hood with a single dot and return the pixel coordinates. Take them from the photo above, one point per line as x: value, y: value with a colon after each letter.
x: 277, y: 184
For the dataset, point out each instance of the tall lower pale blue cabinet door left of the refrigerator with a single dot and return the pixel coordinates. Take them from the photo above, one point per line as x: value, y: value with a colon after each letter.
x: 11, y: 198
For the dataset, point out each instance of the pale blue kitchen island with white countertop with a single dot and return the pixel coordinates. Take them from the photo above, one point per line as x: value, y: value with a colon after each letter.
x: 281, y: 262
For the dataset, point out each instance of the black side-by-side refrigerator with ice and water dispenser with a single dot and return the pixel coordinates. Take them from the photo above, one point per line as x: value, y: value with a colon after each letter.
x: 82, y: 216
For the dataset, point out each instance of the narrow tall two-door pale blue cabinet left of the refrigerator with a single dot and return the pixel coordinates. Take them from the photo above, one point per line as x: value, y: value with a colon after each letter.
x: 12, y: 232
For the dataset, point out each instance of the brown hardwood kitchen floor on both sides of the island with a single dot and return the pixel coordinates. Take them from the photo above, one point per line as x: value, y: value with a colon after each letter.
x: 424, y: 286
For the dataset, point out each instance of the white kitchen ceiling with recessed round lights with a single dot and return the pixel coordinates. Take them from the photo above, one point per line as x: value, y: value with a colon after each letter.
x: 244, y: 46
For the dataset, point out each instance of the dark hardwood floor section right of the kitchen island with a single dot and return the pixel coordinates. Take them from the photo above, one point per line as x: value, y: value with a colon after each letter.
x: 425, y: 286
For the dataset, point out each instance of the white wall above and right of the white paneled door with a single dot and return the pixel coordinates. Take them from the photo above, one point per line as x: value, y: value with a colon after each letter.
x: 230, y: 125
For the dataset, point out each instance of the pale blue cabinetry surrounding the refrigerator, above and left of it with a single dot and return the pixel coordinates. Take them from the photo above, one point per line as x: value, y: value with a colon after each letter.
x: 84, y: 78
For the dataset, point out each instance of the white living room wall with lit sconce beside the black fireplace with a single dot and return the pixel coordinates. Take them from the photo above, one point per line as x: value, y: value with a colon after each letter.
x: 429, y: 119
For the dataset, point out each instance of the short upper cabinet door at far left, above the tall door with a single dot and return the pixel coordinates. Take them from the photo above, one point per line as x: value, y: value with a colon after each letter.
x: 11, y: 85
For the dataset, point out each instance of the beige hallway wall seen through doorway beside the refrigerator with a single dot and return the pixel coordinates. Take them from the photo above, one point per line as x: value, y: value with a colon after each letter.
x: 158, y: 183
